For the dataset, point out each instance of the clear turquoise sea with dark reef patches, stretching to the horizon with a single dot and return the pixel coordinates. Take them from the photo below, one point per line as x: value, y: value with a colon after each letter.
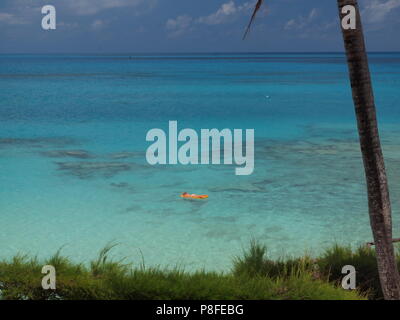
x: 74, y: 174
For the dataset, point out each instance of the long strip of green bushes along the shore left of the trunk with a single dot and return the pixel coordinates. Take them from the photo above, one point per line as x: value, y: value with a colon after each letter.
x: 253, y: 276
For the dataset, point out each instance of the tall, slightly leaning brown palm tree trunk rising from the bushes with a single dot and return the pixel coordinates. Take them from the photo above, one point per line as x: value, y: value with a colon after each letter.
x: 378, y: 193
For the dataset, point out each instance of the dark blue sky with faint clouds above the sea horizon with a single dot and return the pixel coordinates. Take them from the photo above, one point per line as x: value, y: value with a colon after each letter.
x: 167, y: 26
